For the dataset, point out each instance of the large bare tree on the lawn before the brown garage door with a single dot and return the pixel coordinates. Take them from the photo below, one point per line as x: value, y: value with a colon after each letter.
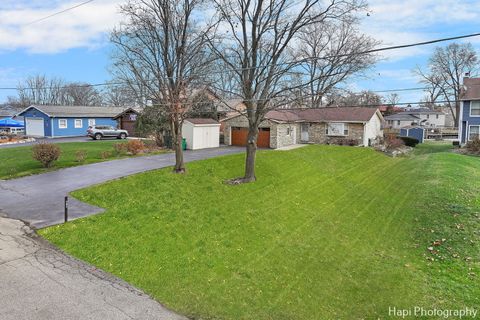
x: 254, y: 40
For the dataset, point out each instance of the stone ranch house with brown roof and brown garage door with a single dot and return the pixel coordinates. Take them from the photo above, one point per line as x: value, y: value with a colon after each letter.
x: 332, y: 125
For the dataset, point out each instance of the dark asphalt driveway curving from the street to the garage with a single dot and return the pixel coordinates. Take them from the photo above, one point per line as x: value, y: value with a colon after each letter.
x: 39, y: 199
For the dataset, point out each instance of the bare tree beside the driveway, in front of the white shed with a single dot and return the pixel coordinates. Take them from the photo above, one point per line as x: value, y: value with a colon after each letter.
x: 161, y: 50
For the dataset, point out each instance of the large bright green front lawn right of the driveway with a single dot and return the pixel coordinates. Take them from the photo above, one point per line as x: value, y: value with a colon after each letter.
x: 326, y: 232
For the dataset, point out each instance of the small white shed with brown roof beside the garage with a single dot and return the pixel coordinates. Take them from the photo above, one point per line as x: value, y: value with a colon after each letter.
x: 201, y: 133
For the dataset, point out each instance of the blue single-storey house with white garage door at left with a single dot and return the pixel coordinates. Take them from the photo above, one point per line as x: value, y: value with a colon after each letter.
x: 66, y: 121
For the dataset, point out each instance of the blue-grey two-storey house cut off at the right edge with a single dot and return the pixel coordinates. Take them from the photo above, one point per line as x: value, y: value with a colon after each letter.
x: 469, y: 117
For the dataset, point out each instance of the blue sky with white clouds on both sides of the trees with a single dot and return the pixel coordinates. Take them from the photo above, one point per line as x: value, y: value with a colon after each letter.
x: 74, y: 45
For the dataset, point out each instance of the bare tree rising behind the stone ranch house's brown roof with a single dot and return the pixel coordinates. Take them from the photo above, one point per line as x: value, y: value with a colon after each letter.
x: 333, y: 51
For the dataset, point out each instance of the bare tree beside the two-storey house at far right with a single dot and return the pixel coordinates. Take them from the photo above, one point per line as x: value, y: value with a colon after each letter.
x: 446, y: 69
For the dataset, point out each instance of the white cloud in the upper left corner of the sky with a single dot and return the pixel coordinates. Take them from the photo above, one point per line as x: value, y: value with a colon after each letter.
x: 86, y: 26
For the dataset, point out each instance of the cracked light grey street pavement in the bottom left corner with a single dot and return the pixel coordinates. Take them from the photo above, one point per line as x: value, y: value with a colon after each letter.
x: 37, y: 281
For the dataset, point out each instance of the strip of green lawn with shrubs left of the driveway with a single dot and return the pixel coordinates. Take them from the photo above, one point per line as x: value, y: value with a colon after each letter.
x: 17, y: 162
